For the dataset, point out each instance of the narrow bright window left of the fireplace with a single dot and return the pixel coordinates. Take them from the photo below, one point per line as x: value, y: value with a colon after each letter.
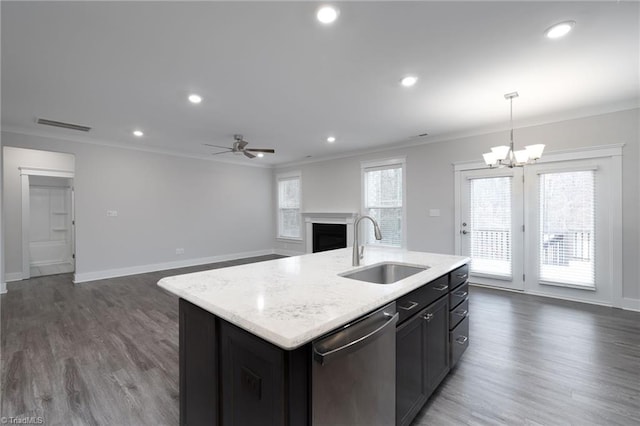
x: 289, y: 205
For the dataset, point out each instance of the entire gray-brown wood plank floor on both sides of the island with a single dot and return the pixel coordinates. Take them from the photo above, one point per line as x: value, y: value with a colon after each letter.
x: 106, y: 353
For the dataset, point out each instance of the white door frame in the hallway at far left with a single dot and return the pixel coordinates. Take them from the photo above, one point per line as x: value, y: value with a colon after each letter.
x: 25, y: 172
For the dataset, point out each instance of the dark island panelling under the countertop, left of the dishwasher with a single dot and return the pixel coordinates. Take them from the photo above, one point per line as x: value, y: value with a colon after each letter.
x: 228, y: 376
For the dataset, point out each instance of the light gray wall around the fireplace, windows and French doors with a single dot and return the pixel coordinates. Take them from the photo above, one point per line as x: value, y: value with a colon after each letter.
x: 335, y: 184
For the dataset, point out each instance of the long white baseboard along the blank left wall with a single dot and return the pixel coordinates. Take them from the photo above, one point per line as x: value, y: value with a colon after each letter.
x: 85, y: 277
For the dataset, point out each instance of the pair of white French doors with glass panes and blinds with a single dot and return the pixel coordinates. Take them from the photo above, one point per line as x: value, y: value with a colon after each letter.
x: 546, y: 228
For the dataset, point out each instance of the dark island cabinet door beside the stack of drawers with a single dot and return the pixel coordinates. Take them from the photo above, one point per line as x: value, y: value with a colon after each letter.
x: 436, y: 318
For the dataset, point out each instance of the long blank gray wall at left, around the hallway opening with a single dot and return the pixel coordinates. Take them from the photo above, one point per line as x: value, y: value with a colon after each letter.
x: 213, y: 210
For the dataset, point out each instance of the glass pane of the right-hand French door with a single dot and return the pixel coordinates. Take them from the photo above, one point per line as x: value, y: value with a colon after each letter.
x: 567, y: 228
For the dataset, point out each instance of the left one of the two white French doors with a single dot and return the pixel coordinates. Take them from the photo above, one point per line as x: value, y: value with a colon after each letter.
x: 492, y: 226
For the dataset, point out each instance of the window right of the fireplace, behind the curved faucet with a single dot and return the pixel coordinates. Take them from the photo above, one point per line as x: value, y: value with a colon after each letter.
x: 383, y: 199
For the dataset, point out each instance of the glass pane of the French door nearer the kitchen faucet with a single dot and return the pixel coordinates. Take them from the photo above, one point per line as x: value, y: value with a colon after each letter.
x: 489, y: 226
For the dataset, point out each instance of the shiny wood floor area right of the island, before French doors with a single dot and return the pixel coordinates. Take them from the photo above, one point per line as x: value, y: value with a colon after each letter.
x: 540, y: 361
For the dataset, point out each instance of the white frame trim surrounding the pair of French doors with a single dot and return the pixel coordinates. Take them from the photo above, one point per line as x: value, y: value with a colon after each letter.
x: 614, y: 253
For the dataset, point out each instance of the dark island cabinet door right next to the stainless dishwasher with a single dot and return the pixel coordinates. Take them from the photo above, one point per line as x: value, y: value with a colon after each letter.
x: 410, y: 369
